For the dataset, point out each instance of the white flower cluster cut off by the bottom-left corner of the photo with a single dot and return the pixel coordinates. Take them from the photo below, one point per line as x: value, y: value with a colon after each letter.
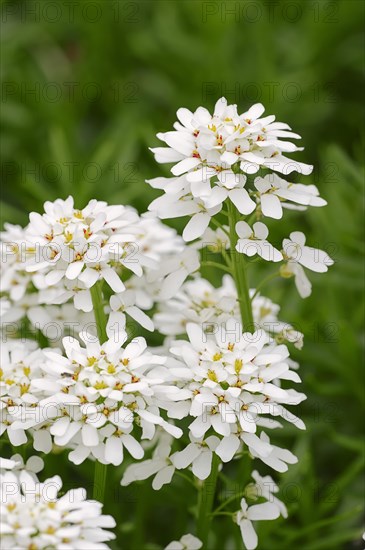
x: 33, y: 516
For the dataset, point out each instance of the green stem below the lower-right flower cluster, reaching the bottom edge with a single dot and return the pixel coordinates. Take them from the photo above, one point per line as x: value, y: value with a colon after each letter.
x: 205, y: 503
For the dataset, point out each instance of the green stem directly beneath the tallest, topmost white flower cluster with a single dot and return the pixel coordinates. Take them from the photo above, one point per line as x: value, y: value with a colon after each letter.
x: 240, y: 271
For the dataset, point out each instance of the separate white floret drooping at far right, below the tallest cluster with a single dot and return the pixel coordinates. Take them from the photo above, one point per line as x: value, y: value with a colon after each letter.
x: 296, y: 254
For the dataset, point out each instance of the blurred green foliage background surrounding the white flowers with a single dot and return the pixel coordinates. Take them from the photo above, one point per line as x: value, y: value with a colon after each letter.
x: 85, y: 88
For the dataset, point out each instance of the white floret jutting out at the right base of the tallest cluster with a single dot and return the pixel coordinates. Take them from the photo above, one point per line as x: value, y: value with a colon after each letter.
x: 275, y: 191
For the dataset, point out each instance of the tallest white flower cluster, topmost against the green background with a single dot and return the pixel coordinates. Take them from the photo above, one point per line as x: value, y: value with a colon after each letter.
x: 213, y: 155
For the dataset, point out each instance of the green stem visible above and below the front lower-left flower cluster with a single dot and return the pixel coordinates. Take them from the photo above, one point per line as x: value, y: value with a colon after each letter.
x: 100, y: 470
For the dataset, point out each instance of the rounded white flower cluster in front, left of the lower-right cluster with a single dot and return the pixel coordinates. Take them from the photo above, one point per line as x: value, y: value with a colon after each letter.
x: 102, y: 394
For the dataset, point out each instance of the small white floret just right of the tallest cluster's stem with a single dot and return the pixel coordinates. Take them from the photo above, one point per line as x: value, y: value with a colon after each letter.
x: 254, y: 241
